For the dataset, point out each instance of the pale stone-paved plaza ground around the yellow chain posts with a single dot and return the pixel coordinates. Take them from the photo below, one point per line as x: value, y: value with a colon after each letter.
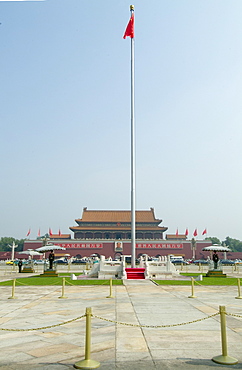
x: 116, y: 346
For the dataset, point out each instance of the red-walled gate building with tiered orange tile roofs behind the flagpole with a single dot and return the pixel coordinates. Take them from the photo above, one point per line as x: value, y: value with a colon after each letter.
x: 108, y: 233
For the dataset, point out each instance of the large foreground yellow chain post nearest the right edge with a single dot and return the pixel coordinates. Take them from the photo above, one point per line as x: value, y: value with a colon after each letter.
x: 224, y: 359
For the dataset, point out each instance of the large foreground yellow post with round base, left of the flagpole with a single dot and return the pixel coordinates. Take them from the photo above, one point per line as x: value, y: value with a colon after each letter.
x: 87, y: 363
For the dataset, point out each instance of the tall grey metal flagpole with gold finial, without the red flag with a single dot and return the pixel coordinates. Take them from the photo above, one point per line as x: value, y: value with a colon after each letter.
x: 132, y: 153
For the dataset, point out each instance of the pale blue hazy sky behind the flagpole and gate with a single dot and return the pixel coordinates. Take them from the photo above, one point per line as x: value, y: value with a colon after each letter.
x: 65, y: 113
